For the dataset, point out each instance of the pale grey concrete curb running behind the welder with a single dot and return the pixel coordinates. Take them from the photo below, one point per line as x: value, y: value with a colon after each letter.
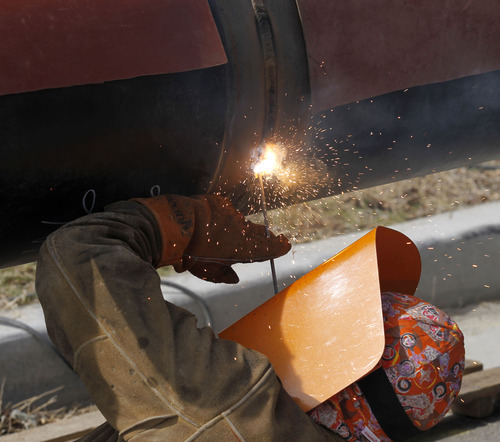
x: 464, y: 244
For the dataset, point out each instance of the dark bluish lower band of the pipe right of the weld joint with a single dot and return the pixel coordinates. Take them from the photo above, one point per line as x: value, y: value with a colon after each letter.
x: 410, y: 133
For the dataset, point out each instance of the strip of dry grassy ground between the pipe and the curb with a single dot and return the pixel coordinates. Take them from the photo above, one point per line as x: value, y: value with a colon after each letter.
x: 360, y: 210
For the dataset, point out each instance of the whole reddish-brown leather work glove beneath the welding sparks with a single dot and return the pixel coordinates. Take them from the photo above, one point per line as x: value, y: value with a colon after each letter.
x: 206, y: 235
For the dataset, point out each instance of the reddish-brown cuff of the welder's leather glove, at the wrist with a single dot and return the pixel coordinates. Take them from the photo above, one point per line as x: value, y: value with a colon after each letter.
x: 174, y: 216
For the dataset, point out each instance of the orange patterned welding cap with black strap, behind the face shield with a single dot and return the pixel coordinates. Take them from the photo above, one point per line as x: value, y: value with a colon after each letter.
x: 414, y: 384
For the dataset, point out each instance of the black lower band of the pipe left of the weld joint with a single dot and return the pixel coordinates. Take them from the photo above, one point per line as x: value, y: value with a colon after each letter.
x: 68, y: 152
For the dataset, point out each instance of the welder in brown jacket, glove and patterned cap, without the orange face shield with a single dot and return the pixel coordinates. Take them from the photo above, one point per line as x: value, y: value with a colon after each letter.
x: 155, y: 376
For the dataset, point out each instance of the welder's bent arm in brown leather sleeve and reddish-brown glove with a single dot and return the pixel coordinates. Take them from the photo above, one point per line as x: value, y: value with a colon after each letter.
x: 149, y: 369
